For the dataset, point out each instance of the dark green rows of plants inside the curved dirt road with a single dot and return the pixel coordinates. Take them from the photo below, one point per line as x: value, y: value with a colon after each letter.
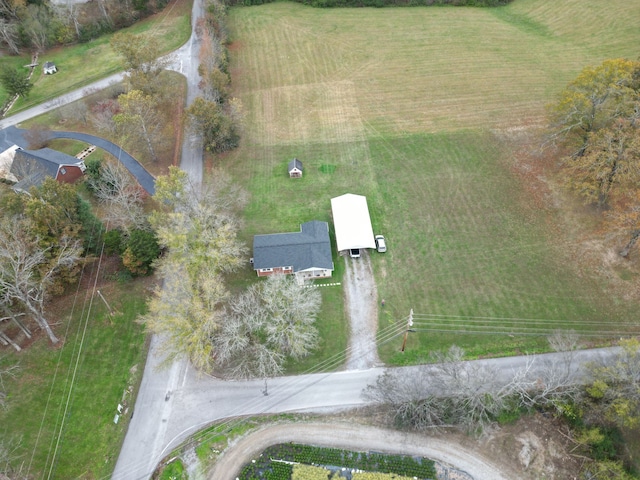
x: 265, y: 468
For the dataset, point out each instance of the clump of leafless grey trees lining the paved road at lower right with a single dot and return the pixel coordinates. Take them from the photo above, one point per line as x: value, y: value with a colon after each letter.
x: 468, y: 394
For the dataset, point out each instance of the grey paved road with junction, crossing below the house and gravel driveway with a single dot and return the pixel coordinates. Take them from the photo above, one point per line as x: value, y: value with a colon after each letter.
x: 196, y: 401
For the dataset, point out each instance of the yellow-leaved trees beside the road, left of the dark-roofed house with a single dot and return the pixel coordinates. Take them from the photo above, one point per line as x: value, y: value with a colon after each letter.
x: 198, y: 229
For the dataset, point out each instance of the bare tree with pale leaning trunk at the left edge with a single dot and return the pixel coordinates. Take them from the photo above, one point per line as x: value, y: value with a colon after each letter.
x: 28, y: 270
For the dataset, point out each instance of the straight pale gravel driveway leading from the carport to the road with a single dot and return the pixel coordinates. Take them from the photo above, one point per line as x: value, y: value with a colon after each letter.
x: 361, y: 301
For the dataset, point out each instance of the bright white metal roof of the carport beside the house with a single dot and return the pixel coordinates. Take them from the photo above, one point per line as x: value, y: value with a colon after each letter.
x: 352, y: 222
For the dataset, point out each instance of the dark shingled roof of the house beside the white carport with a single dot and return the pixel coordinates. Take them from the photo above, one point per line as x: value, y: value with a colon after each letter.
x: 309, y: 248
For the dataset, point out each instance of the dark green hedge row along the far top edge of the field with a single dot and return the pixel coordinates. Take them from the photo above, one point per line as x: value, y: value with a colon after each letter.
x: 382, y: 3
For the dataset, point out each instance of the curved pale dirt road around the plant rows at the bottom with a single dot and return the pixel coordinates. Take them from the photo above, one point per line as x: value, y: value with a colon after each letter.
x: 469, y: 464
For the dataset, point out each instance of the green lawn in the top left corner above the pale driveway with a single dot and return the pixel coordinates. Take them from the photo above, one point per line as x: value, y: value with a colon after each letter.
x: 81, y: 64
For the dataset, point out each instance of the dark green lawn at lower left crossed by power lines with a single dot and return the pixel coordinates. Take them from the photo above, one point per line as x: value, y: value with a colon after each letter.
x: 63, y: 403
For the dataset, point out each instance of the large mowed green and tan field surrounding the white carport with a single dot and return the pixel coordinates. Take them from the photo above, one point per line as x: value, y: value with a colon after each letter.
x: 408, y: 106
